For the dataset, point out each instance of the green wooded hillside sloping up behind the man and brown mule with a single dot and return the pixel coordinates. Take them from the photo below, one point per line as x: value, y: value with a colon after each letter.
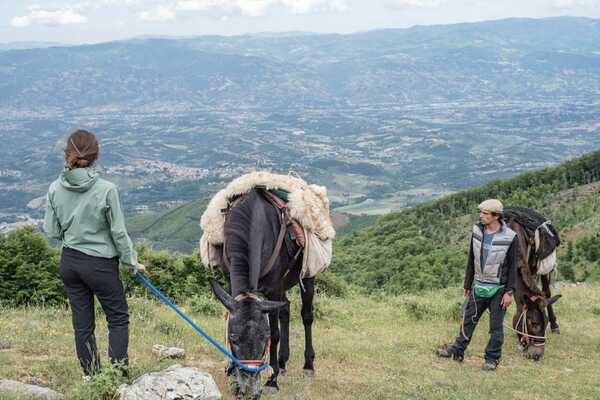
x: 426, y: 247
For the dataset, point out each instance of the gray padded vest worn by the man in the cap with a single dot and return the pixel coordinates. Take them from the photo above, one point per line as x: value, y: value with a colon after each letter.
x: 490, y: 273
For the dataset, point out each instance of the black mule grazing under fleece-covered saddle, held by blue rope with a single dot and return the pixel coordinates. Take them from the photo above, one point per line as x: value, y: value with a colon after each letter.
x: 262, y: 260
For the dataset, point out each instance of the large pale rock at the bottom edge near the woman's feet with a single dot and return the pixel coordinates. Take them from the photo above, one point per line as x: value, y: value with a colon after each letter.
x: 173, y: 383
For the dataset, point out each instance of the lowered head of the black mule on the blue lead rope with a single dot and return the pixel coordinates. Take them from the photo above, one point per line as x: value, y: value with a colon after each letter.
x: 248, y: 335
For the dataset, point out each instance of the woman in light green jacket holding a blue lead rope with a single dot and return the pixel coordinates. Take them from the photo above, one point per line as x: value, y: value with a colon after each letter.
x: 83, y: 212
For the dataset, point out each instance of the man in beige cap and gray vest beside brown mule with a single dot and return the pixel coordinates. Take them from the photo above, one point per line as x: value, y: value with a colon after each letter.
x: 489, y: 283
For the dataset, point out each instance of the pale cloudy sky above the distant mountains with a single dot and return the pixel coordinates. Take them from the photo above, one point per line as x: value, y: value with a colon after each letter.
x: 92, y: 21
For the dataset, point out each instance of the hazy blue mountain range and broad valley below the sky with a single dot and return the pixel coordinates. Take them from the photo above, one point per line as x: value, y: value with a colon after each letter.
x: 385, y: 119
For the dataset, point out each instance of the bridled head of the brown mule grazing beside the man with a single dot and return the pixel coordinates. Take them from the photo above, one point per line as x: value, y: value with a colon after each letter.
x: 531, y: 322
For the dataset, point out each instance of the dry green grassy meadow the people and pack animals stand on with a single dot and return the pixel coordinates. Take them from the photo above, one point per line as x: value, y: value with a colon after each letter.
x: 375, y: 347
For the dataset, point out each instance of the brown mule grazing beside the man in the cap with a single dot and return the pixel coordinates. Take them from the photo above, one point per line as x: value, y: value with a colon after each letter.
x: 534, y: 305
